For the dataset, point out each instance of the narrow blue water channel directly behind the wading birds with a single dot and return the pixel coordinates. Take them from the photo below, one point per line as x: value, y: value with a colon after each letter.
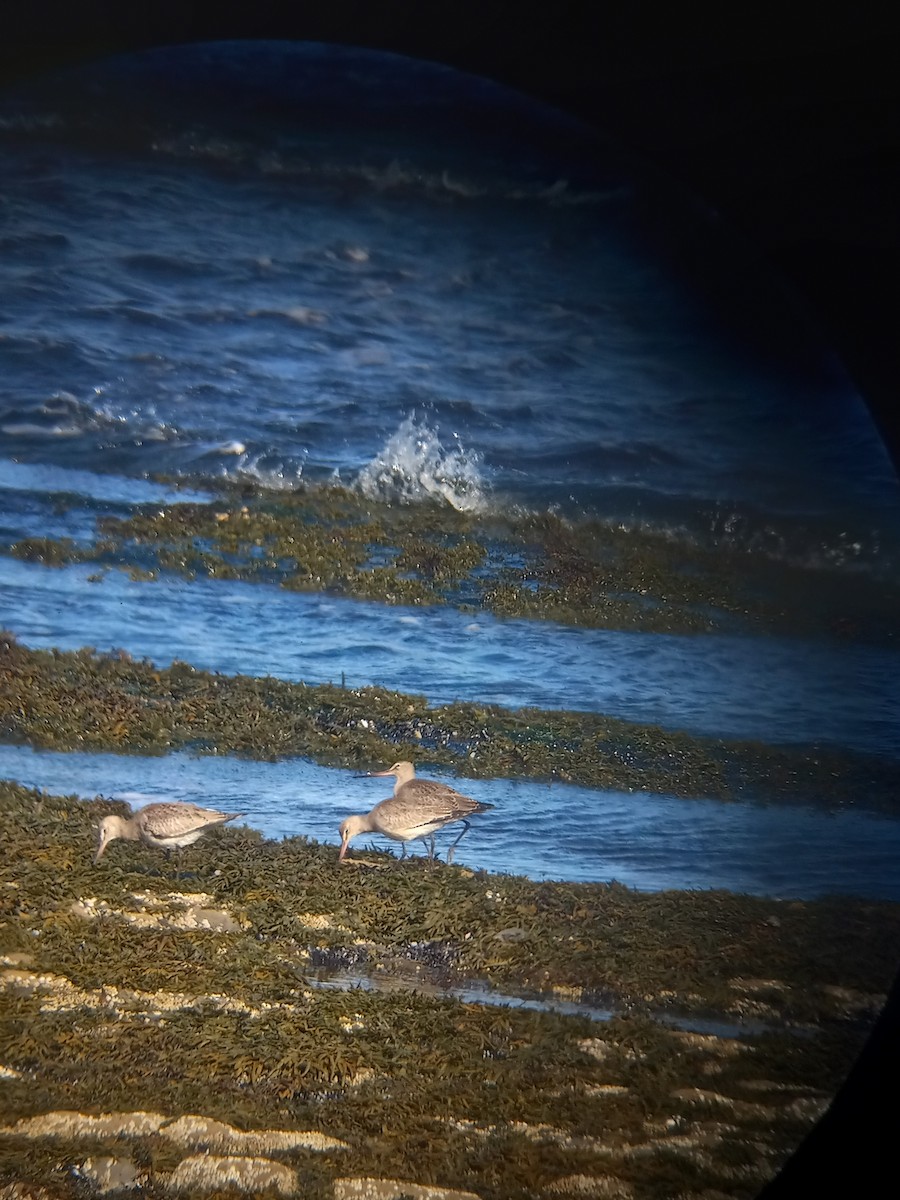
x: 643, y: 841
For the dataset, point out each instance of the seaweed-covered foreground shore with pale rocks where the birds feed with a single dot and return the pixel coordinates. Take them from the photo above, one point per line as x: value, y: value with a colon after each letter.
x: 157, y: 1015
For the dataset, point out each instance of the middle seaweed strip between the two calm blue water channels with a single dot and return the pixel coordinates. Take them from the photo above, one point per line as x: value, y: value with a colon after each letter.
x: 82, y: 700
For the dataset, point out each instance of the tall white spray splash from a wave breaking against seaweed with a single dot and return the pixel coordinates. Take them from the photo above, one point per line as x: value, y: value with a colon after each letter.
x: 415, y: 465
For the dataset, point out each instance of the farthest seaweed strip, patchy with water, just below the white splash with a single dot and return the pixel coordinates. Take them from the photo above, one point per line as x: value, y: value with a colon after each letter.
x: 525, y: 566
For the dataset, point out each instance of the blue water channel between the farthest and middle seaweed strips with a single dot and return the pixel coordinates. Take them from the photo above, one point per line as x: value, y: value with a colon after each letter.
x: 811, y: 692
